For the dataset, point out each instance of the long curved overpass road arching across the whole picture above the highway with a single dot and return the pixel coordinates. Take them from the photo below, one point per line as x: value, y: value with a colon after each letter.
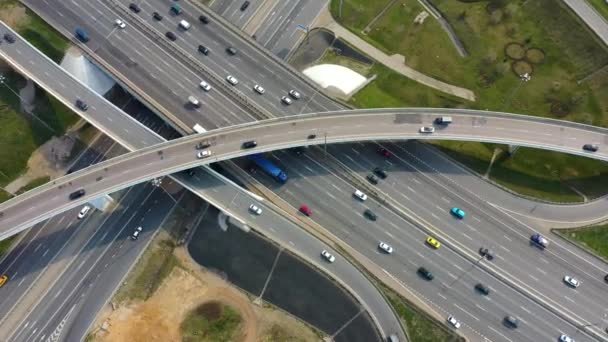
x: 382, y: 124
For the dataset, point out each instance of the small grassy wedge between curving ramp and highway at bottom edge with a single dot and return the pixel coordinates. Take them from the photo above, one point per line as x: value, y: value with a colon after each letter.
x: 420, y: 327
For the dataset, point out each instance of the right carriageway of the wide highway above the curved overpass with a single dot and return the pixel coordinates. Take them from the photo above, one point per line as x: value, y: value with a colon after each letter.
x: 222, y: 63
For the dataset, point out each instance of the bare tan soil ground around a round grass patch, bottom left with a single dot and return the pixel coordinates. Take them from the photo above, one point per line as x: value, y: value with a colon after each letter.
x: 187, y: 287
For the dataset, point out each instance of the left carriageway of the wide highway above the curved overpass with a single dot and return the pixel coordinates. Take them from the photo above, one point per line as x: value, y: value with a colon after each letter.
x: 182, y: 81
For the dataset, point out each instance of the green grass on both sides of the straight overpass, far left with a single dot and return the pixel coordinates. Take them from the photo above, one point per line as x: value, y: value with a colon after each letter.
x: 21, y: 134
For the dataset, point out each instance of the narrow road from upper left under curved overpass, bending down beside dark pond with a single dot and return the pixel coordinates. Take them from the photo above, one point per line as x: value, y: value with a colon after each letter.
x: 223, y: 194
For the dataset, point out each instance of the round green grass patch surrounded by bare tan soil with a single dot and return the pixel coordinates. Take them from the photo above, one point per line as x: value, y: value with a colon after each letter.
x: 212, y: 321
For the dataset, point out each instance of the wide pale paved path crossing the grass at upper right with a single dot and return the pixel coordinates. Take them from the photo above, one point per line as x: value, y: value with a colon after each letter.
x: 395, y: 62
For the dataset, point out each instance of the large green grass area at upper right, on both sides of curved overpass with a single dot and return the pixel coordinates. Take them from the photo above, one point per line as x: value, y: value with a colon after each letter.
x: 549, y: 39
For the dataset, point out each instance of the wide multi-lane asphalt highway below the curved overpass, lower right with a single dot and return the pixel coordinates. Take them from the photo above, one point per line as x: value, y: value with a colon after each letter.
x: 452, y: 291
